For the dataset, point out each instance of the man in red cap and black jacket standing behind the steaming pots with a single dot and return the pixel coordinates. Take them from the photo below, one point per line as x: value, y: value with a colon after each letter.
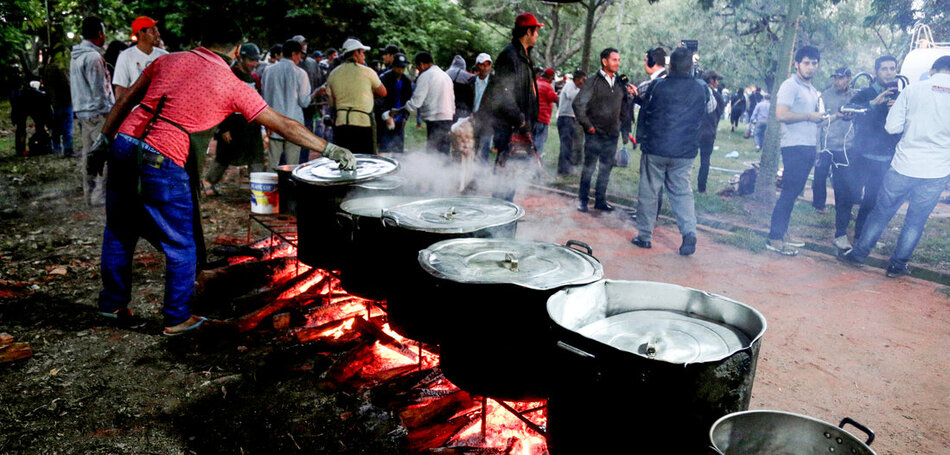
x: 512, y: 94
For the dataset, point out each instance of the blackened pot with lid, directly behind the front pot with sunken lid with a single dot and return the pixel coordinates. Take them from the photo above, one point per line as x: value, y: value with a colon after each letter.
x: 488, y: 298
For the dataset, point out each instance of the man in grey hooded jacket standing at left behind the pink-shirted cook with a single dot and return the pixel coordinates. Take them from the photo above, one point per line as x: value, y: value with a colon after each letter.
x: 92, y: 99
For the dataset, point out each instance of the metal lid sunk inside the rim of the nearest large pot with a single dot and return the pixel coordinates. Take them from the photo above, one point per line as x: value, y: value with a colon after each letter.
x: 669, y: 336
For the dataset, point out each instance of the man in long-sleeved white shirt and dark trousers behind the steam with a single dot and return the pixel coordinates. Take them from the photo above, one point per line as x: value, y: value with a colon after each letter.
x: 434, y: 98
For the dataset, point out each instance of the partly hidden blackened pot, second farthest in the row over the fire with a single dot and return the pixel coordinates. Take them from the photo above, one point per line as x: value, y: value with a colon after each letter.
x: 362, y: 268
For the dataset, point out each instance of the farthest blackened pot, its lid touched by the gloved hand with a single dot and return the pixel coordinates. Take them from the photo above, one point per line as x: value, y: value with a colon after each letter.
x: 321, y: 187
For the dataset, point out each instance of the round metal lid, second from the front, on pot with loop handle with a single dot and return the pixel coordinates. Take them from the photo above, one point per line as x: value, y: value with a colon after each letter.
x: 531, y: 264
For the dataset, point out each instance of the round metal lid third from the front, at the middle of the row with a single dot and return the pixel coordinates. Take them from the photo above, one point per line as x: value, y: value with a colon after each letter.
x: 453, y: 215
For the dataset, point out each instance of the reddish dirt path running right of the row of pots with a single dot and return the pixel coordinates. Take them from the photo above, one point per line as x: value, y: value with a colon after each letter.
x: 841, y: 342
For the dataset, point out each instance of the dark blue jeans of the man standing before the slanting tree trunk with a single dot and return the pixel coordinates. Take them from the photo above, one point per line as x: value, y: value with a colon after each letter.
x: 798, y: 161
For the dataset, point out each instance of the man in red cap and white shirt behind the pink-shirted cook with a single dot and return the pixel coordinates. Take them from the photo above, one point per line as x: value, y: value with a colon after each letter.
x: 132, y: 61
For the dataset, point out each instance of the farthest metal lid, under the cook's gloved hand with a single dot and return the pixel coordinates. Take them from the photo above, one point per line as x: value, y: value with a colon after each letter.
x: 326, y: 172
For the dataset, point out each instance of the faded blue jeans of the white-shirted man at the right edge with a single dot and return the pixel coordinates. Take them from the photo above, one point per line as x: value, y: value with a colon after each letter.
x: 922, y: 194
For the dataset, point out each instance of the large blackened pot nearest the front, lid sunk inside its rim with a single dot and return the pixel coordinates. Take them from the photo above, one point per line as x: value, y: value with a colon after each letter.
x: 647, y: 365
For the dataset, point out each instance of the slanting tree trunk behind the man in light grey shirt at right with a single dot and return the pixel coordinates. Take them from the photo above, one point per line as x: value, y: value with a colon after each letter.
x: 768, y: 166
